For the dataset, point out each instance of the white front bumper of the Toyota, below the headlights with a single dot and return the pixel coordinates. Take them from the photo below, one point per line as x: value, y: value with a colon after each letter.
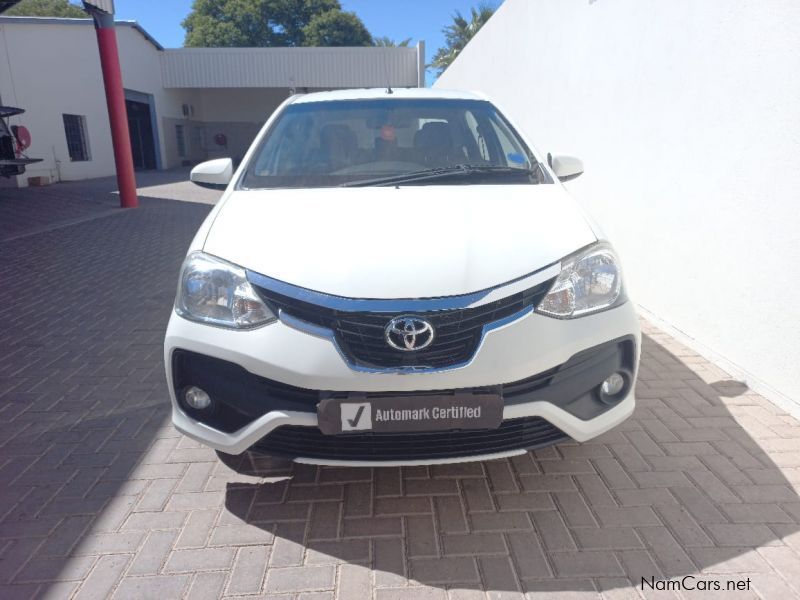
x: 533, y: 344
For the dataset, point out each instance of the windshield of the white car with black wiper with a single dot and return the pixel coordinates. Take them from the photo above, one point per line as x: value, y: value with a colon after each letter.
x: 332, y: 143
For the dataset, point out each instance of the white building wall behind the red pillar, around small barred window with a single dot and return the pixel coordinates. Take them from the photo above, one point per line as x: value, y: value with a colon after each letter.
x: 52, y: 69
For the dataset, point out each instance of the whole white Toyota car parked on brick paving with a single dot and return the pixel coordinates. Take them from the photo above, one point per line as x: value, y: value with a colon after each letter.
x: 396, y: 277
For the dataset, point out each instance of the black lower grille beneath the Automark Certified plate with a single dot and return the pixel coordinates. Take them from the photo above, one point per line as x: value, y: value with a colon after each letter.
x: 310, y: 442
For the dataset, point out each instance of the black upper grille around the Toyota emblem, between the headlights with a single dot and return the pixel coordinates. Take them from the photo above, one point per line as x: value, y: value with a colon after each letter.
x: 360, y: 335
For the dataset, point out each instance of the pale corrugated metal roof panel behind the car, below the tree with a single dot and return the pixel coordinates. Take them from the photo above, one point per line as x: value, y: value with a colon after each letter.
x: 289, y: 67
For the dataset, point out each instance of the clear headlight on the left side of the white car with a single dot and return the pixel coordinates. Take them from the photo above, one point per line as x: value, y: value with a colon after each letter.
x: 216, y: 292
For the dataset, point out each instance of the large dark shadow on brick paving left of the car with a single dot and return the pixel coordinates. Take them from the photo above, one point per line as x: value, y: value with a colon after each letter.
x: 82, y: 387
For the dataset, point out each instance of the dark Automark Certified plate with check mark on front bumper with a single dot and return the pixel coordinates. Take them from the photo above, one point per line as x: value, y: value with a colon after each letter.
x: 410, y: 413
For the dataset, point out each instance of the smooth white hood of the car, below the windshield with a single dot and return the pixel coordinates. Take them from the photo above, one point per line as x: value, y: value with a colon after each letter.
x: 399, y: 242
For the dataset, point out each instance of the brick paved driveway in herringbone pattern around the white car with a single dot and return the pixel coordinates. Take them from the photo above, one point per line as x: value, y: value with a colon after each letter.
x: 99, y: 497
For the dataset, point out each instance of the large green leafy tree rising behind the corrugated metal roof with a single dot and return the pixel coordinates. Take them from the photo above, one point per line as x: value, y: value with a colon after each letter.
x: 264, y: 23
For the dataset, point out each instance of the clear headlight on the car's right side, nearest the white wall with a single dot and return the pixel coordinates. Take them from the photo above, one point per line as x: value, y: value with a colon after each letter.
x: 590, y: 281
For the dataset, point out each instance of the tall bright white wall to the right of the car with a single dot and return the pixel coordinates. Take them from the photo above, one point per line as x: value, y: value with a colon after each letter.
x: 687, y: 115
